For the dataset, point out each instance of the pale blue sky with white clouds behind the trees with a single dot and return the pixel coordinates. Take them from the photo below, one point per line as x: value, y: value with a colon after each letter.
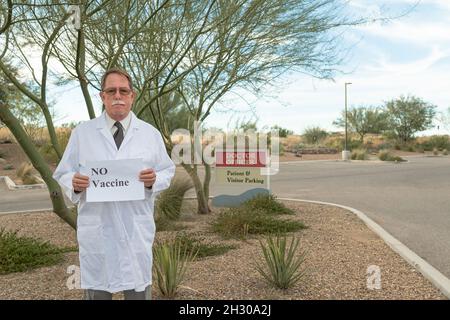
x: 384, y: 60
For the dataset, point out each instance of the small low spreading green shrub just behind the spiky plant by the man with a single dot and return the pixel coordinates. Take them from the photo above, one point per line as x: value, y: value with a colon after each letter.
x: 199, y: 246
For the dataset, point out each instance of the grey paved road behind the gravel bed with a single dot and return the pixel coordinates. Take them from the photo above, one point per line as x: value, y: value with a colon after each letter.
x: 410, y: 200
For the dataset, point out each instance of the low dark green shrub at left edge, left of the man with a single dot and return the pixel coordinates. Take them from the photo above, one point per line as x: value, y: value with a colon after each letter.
x: 19, y: 254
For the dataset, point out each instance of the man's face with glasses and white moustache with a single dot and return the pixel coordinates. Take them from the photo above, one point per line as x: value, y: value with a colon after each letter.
x: 117, y: 96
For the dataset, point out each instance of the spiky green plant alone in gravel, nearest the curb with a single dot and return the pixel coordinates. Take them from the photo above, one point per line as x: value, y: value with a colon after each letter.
x: 282, y: 267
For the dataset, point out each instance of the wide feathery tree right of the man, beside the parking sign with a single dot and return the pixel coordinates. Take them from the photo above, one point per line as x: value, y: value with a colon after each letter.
x: 233, y: 46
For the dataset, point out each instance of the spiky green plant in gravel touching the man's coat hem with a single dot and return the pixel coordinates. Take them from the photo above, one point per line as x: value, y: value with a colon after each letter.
x: 170, y: 262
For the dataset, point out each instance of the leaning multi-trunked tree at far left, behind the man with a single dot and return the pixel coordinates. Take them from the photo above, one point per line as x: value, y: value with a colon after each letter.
x: 35, y: 37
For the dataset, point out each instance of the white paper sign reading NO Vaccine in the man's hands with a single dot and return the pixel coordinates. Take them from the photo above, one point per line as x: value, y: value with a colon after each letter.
x: 114, y: 180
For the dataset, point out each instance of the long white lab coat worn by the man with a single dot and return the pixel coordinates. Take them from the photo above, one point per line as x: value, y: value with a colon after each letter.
x: 115, y: 238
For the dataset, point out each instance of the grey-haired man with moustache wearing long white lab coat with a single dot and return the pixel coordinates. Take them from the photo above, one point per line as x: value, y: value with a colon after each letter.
x: 115, y: 238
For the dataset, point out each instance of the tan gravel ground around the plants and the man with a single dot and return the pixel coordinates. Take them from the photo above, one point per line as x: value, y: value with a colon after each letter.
x: 340, y: 249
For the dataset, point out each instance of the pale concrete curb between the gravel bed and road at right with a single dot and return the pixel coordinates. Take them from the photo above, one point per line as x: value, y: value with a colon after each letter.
x: 428, y: 271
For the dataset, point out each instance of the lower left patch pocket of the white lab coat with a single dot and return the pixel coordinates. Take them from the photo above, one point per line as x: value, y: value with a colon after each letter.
x: 90, y: 235
